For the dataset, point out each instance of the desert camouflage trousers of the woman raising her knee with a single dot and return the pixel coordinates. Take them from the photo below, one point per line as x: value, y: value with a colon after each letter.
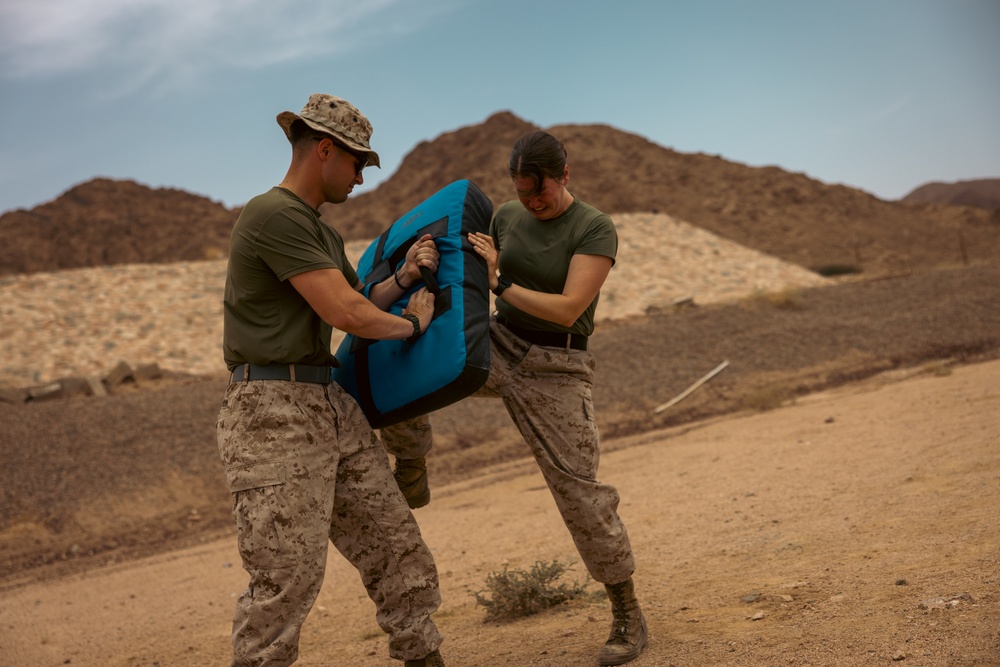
x: 547, y: 392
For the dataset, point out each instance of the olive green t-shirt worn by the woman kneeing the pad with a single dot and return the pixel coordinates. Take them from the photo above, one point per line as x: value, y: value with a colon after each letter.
x: 536, y: 254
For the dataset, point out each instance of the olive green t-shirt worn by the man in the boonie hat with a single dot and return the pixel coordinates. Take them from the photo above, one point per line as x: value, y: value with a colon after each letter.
x: 266, y: 320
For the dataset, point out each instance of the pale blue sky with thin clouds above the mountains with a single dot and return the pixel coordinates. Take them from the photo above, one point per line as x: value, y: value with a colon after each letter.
x: 879, y: 95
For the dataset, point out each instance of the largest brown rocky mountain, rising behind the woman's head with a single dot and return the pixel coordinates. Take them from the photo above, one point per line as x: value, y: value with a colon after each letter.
x: 785, y: 214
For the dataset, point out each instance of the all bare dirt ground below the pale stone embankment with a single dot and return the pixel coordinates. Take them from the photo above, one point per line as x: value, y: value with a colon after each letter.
x: 830, y: 498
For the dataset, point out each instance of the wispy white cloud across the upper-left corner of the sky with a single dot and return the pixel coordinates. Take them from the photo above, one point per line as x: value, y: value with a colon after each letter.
x: 169, y: 39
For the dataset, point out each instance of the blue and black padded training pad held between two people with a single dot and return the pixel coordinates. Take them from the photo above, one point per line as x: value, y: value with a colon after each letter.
x: 394, y: 380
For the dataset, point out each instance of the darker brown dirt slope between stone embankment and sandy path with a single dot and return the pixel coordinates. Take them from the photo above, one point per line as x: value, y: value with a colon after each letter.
x: 88, y: 480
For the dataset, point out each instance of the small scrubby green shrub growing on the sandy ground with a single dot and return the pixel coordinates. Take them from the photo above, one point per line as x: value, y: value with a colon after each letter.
x: 518, y: 593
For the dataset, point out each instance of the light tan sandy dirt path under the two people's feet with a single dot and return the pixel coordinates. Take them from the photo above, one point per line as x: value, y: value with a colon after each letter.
x: 857, y: 527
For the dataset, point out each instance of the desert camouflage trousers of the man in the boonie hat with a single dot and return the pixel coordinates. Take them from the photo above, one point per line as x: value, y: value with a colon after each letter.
x: 305, y: 469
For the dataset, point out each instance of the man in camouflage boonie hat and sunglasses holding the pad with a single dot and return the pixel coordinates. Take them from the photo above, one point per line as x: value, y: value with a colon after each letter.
x: 304, y: 466
